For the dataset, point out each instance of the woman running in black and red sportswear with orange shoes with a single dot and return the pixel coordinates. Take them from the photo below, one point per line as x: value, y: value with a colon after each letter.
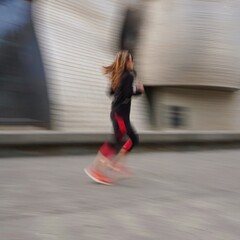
x: 122, y: 75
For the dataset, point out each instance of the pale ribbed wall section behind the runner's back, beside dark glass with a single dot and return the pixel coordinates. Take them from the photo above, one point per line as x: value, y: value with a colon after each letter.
x: 77, y: 38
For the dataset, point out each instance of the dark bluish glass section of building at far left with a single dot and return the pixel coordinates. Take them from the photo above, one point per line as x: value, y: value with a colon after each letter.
x: 23, y: 90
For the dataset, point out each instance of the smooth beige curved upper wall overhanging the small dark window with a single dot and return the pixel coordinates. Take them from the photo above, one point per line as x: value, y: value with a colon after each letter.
x: 190, y: 43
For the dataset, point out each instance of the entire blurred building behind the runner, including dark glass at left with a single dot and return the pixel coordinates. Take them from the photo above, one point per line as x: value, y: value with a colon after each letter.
x: 187, y: 54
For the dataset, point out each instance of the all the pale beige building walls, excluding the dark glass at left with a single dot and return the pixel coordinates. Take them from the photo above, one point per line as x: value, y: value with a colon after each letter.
x: 187, y: 55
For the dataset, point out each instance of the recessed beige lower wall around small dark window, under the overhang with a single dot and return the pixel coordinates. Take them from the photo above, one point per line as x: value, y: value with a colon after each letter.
x: 206, y: 109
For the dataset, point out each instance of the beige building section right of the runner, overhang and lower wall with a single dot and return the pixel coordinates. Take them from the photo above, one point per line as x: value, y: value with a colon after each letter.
x: 189, y: 57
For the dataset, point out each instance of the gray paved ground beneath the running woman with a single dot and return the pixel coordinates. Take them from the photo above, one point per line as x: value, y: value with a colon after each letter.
x: 173, y: 195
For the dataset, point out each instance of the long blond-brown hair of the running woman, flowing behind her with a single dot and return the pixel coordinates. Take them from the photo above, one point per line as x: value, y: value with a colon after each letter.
x: 116, y: 69
